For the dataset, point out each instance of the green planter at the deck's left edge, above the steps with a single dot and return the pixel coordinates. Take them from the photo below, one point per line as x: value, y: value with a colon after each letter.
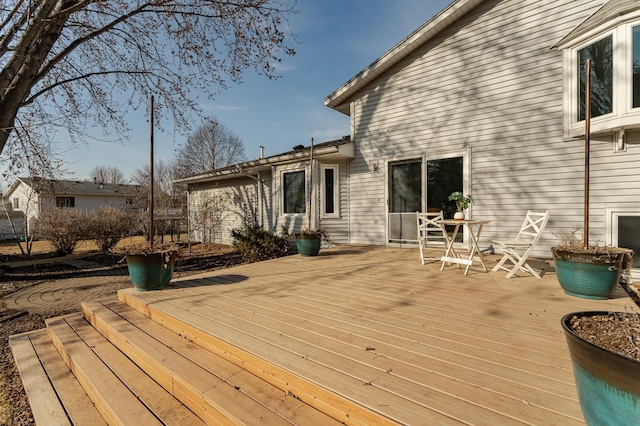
x: 150, y: 271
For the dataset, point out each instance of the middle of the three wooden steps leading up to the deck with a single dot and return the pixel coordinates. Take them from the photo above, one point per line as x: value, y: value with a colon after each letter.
x: 82, y: 347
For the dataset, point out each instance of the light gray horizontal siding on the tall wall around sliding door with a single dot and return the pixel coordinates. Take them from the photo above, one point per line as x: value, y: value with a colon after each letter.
x: 489, y: 84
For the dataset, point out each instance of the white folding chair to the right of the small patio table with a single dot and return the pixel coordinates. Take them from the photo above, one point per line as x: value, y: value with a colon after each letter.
x: 518, y: 250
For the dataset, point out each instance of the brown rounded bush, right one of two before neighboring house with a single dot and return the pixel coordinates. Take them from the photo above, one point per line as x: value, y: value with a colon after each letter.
x: 107, y: 226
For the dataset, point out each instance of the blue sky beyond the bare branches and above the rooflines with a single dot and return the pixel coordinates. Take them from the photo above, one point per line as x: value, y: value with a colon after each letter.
x: 336, y: 39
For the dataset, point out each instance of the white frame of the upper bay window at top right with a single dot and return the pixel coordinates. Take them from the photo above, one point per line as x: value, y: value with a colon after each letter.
x: 623, y: 115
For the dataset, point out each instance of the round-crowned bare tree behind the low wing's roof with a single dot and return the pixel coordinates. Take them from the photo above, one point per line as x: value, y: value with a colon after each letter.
x: 210, y: 147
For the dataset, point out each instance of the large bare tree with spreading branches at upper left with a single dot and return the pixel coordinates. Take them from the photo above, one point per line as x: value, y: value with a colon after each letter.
x: 75, y: 64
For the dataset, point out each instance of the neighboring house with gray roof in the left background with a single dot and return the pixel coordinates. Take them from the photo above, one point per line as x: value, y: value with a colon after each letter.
x: 31, y: 196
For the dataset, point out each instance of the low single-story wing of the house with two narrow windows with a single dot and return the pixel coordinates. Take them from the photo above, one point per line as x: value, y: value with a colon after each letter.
x: 273, y: 192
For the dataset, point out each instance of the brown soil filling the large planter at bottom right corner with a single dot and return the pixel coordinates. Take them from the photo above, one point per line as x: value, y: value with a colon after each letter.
x: 619, y: 333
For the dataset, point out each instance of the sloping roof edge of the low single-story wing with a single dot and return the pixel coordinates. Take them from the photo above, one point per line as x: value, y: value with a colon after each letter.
x: 342, y: 147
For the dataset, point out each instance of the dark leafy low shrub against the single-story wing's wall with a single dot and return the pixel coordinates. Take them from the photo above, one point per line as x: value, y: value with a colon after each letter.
x: 256, y: 243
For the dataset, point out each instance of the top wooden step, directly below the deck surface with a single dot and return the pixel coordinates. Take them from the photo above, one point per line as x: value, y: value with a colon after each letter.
x: 210, y: 386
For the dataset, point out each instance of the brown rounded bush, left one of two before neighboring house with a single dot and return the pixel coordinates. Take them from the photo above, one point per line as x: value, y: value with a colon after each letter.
x: 63, y: 227
